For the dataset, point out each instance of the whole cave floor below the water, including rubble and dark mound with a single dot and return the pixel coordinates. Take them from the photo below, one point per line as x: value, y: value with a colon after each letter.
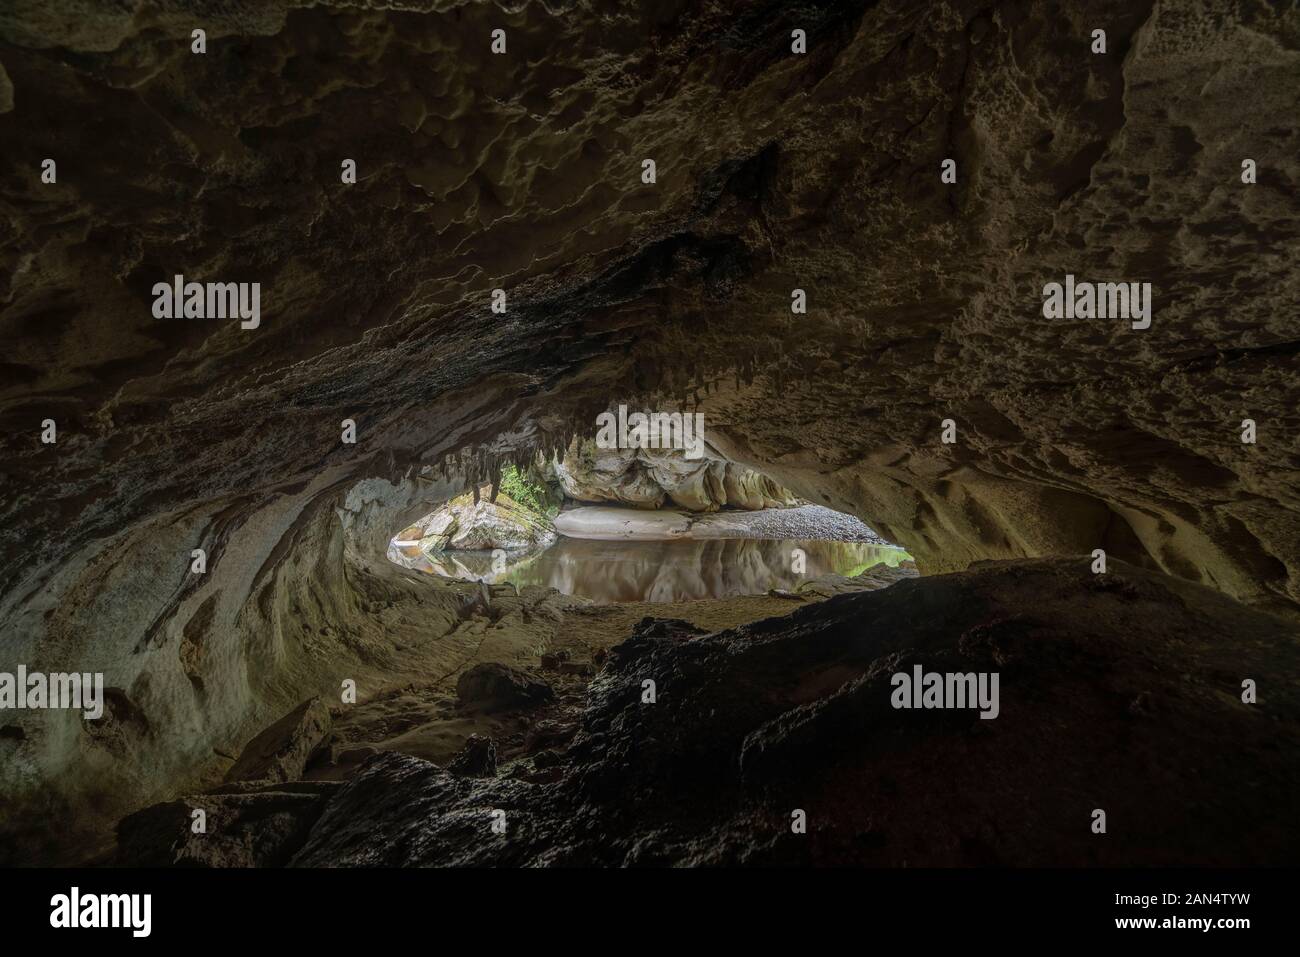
x: 1119, y: 692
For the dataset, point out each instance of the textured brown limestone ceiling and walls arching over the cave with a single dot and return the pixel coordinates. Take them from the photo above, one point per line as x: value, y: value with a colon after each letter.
x: 523, y: 172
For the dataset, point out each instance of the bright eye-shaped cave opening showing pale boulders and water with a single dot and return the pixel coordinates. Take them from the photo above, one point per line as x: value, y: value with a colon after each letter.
x: 642, y: 526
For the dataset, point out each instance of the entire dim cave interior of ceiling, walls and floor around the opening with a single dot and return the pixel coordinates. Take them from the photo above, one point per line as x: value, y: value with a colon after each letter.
x: 475, y: 229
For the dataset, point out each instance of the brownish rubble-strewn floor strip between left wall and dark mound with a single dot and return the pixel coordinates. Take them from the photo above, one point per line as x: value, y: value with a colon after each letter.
x: 534, y: 655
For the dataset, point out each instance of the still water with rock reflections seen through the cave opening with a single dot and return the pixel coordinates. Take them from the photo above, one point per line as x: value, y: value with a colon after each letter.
x: 661, y: 571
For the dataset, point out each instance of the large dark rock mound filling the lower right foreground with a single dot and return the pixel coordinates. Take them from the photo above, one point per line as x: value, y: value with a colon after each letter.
x: 1120, y: 692
